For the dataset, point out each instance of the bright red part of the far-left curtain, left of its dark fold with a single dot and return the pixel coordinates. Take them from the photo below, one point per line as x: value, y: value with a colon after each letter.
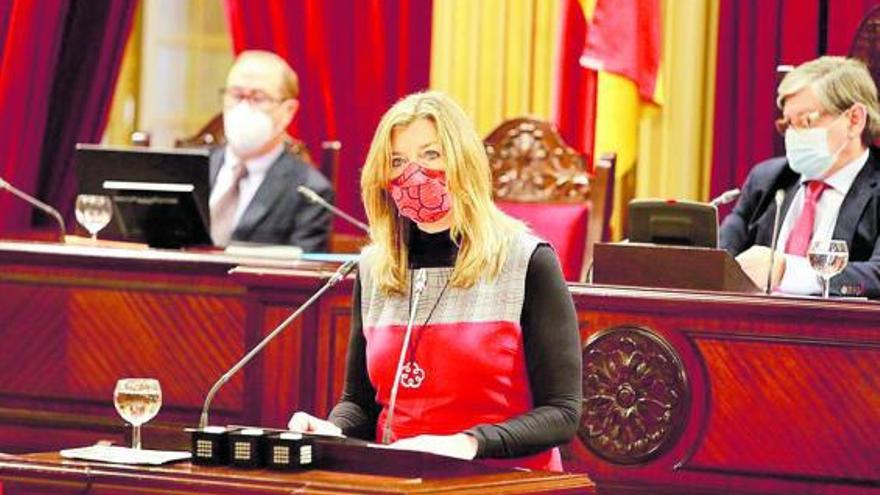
x: 30, y: 47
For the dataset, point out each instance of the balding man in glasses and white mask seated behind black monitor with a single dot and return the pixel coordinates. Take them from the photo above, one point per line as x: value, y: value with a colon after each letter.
x: 254, y: 178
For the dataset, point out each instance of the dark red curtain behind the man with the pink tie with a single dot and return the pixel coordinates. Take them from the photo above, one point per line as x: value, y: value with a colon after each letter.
x: 754, y: 37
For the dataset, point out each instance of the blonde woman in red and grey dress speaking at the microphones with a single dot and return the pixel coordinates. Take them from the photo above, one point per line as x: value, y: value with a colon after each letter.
x: 464, y: 338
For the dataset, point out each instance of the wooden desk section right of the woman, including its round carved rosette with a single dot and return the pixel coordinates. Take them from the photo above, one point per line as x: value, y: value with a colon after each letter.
x: 729, y: 391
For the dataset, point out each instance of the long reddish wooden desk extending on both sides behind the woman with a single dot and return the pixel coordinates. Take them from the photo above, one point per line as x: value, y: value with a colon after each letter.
x: 682, y: 388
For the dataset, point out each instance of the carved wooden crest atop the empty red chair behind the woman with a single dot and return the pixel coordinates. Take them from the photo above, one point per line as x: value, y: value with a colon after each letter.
x: 531, y: 163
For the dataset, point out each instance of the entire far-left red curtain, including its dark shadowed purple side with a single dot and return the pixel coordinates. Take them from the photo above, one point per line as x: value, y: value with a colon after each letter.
x: 59, y: 63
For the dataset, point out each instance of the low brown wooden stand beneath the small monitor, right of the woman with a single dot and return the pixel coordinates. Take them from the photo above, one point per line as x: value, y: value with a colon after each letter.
x: 669, y: 267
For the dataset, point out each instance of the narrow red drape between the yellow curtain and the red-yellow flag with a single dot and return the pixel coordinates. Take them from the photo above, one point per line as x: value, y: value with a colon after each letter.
x: 574, y: 104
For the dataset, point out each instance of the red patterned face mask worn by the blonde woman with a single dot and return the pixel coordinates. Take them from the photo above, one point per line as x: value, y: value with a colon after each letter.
x: 420, y: 193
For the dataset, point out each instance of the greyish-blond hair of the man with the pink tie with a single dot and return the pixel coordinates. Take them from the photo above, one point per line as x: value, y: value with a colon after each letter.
x: 839, y: 83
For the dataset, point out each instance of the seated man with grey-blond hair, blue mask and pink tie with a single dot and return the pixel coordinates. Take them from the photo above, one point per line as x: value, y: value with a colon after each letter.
x: 831, y: 178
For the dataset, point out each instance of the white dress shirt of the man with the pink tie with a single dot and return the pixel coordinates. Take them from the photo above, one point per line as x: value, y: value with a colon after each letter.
x: 799, y: 277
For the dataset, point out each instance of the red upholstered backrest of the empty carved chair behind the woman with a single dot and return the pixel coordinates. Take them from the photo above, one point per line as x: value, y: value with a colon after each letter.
x: 563, y: 225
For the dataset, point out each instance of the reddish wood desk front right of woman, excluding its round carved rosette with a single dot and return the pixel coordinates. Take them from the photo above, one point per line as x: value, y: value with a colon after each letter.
x: 785, y: 396
